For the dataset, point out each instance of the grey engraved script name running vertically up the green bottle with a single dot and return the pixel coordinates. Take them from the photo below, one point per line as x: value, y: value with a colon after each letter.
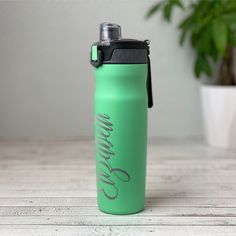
x: 106, y: 173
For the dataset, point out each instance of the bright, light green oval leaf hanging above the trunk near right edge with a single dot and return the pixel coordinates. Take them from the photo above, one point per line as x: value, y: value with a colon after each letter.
x: 220, y: 34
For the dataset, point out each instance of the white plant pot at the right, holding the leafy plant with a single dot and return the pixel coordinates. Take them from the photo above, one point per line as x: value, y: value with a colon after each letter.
x: 219, y: 115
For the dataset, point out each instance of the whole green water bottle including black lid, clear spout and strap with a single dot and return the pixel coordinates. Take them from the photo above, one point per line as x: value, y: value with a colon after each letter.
x: 122, y: 97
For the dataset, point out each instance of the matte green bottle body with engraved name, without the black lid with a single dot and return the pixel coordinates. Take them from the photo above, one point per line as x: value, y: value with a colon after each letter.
x: 121, y: 137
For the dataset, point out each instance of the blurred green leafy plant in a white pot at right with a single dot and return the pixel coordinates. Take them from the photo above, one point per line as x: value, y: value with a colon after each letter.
x: 210, y: 25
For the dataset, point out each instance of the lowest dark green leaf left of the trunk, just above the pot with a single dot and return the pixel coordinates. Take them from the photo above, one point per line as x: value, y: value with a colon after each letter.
x: 202, y: 66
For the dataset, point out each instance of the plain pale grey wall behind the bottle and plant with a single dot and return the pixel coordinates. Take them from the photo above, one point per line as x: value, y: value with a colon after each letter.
x: 47, y: 84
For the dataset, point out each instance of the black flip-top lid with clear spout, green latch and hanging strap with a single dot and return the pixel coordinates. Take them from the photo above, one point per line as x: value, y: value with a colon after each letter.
x: 112, y: 49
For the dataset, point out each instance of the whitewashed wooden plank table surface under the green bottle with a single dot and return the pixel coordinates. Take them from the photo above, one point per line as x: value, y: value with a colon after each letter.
x: 48, y: 188
